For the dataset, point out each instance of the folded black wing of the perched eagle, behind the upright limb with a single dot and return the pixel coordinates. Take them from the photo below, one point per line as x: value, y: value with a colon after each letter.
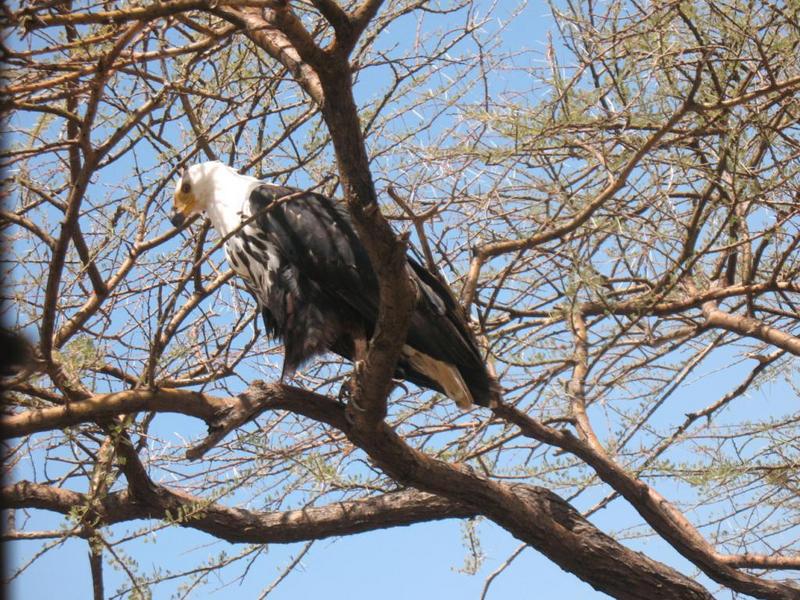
x: 317, y: 237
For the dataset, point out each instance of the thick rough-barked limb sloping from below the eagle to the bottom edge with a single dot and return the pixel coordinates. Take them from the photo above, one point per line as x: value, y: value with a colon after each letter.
x: 534, y: 515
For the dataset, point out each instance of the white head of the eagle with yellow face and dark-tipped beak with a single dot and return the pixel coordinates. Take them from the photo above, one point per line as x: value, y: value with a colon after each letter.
x: 214, y: 188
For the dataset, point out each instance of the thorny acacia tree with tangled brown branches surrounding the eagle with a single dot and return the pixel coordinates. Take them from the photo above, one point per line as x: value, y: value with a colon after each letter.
x: 622, y: 224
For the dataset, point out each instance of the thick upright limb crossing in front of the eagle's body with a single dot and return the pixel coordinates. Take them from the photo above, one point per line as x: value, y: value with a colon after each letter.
x: 326, y: 77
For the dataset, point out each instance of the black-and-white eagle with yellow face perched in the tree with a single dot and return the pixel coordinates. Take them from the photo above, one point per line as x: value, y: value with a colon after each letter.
x: 300, y: 256
